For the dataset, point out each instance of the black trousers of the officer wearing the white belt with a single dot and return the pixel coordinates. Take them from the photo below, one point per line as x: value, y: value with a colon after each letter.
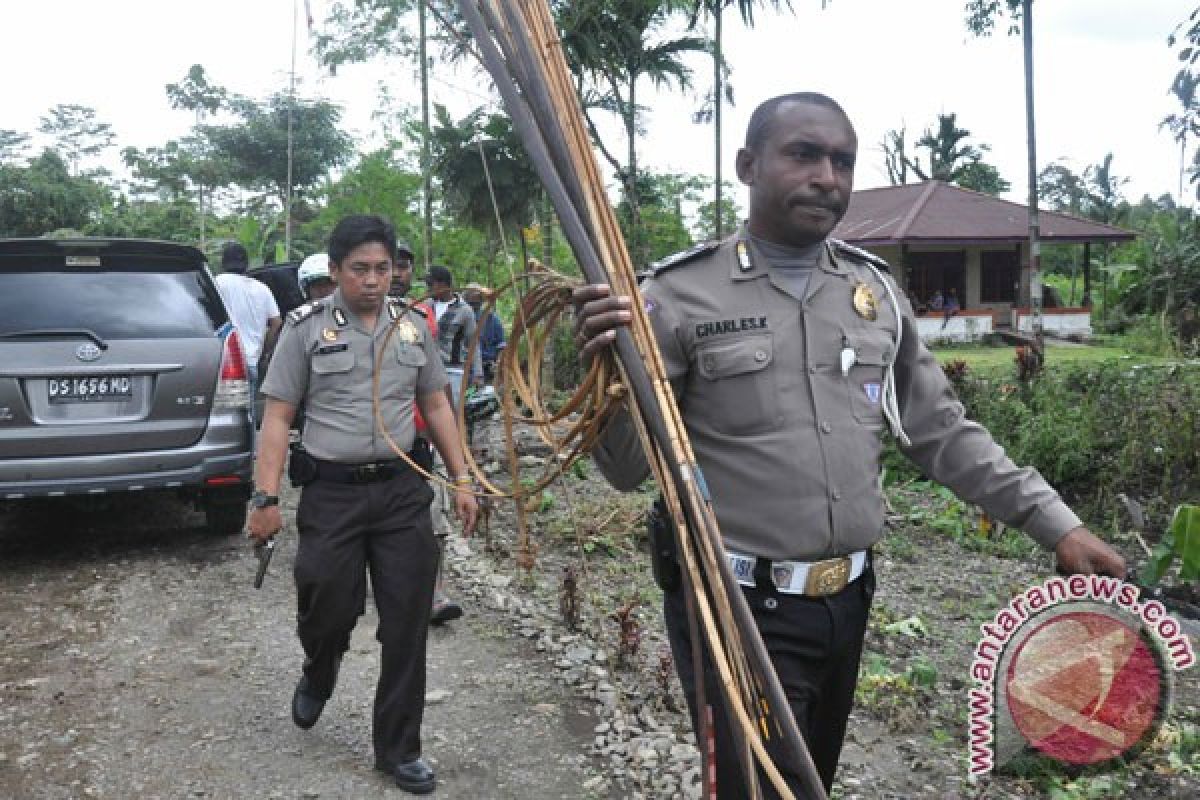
x: 815, y: 646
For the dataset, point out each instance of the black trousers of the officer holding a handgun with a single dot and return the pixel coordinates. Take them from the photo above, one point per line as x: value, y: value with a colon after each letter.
x: 347, y: 531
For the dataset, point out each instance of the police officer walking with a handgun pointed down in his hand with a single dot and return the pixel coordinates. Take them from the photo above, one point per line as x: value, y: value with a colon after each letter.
x: 362, y: 509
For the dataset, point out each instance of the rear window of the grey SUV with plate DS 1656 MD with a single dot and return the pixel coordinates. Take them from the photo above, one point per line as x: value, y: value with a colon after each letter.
x: 113, y: 304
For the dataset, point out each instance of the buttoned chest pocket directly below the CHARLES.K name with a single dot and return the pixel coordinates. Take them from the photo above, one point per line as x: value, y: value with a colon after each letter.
x: 736, y: 392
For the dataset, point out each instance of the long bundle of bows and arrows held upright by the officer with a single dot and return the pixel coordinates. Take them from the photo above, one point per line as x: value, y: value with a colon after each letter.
x: 519, y: 45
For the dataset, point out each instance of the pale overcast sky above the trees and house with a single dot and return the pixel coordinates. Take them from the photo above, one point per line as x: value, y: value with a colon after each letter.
x: 1102, y: 76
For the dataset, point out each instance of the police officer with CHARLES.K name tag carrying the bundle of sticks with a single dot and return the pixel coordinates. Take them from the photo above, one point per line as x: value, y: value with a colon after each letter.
x: 790, y: 354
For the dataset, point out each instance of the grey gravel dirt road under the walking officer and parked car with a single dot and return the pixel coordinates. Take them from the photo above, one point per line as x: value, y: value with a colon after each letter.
x: 137, y: 661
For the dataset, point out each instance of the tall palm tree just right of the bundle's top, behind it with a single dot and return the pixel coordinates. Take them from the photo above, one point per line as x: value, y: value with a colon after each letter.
x: 614, y: 45
